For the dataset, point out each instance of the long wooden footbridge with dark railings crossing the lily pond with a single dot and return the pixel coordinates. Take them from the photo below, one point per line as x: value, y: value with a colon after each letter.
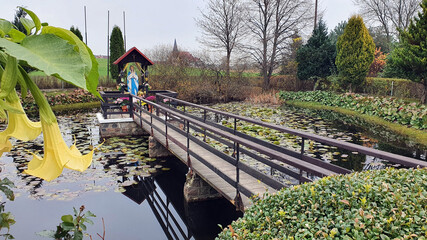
x: 189, y: 130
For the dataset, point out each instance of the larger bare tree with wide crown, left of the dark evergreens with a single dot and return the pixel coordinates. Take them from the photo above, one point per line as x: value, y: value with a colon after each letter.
x: 272, y: 24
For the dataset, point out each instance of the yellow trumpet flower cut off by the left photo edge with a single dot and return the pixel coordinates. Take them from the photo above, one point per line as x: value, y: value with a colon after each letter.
x: 19, y: 127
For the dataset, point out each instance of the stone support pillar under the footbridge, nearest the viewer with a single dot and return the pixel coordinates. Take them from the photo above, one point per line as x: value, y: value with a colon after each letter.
x: 196, y: 189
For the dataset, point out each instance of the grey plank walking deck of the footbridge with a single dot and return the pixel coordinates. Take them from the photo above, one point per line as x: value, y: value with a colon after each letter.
x: 222, y: 186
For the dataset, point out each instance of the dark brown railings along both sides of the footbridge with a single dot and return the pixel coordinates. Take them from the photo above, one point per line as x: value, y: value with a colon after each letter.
x: 302, y: 165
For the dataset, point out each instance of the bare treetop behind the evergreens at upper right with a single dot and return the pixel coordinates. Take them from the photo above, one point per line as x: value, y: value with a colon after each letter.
x: 390, y: 14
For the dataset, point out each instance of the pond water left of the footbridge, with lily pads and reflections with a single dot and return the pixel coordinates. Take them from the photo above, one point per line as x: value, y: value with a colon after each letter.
x: 138, y: 197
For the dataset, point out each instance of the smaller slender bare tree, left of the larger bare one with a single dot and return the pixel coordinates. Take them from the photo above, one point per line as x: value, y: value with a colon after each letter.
x: 222, y: 26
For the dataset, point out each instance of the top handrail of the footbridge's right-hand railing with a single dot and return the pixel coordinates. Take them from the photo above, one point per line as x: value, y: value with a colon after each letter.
x: 406, y: 161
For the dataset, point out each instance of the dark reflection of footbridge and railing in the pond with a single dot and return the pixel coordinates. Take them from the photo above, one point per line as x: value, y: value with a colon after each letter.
x: 178, y: 219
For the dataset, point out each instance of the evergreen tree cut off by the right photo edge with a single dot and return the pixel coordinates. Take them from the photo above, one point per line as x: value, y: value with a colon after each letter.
x: 409, y: 59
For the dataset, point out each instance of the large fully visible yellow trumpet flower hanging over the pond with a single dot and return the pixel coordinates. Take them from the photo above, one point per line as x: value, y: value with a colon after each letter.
x: 57, y: 155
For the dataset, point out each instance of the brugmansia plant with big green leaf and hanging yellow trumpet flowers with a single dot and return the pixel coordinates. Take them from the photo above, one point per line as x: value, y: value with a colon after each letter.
x: 57, y: 52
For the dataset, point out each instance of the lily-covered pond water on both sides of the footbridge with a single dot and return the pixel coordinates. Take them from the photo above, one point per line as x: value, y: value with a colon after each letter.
x: 139, y: 197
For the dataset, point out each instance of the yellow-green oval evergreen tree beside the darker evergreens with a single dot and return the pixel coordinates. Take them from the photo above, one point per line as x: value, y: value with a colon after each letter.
x: 355, y: 53
